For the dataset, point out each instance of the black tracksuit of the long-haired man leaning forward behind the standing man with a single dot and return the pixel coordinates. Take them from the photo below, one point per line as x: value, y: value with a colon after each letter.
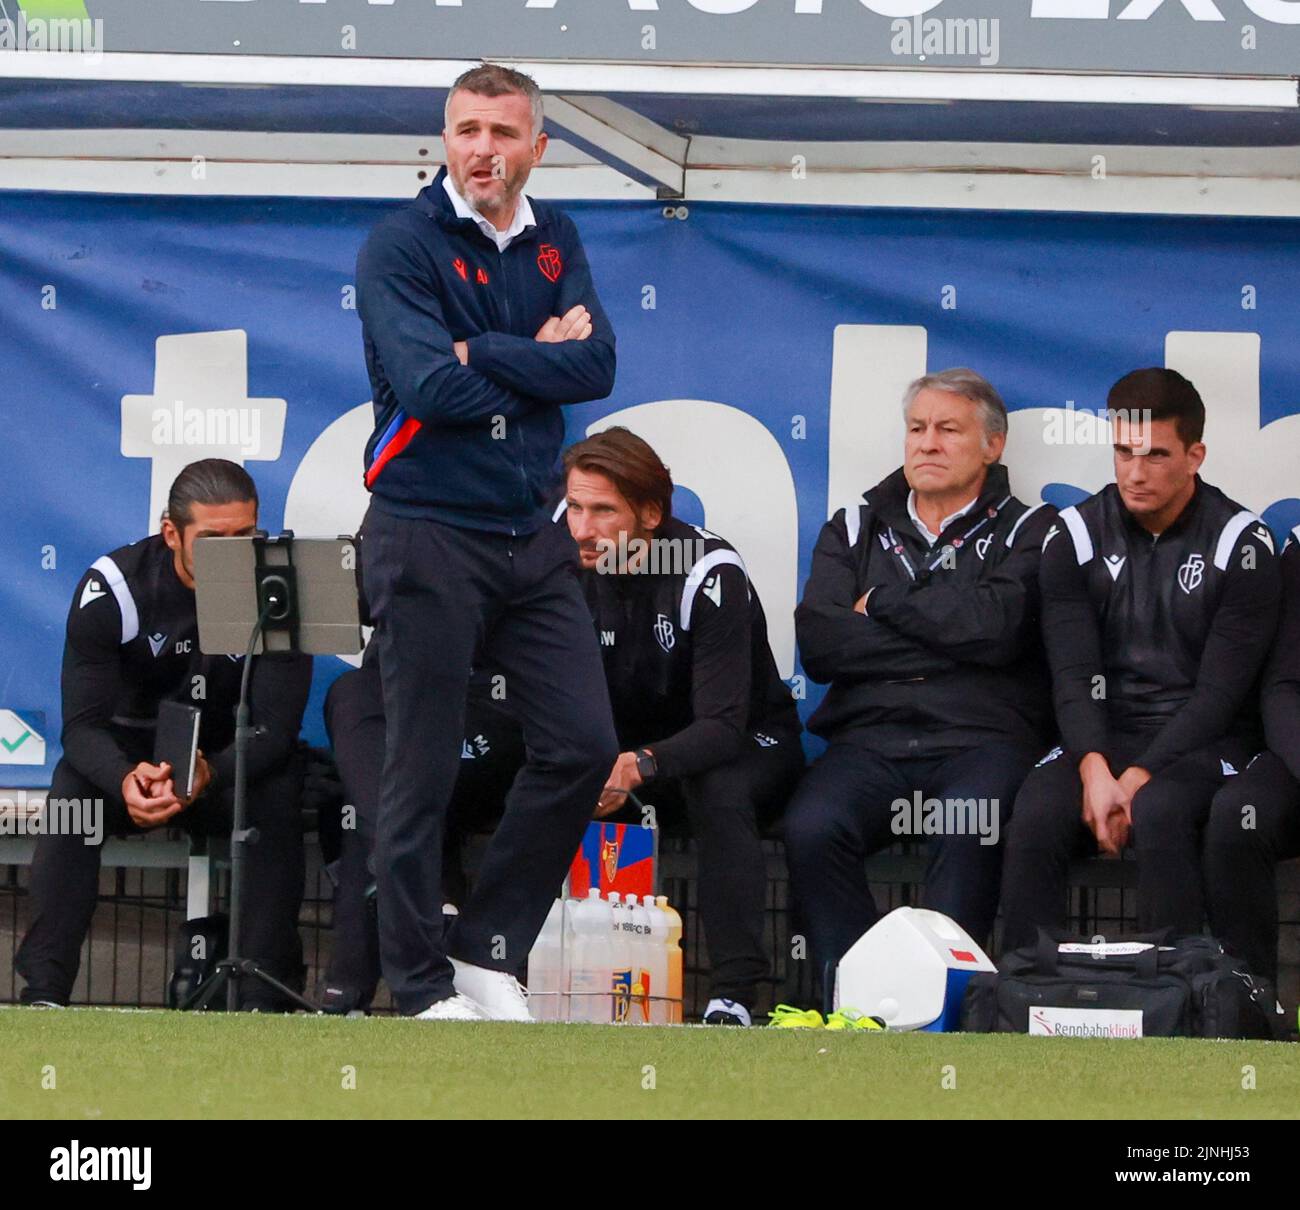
x: 692, y: 678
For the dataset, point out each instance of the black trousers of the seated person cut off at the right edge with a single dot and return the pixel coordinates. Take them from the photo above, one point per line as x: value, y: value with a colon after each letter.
x: 1254, y: 825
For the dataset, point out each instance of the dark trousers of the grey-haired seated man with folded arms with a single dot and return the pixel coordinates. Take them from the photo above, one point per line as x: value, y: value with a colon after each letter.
x: 848, y: 808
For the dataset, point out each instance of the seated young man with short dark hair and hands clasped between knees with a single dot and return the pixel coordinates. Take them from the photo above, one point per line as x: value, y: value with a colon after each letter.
x: 1160, y: 600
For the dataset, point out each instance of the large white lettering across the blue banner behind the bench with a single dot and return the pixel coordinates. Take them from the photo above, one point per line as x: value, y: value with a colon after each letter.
x: 731, y: 459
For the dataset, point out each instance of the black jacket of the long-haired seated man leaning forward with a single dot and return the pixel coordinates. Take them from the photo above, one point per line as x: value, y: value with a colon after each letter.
x: 687, y: 657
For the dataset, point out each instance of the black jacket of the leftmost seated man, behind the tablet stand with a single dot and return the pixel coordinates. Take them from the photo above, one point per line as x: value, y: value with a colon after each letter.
x: 133, y: 643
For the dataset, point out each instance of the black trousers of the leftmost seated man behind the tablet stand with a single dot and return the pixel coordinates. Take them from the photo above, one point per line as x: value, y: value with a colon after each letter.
x: 66, y: 883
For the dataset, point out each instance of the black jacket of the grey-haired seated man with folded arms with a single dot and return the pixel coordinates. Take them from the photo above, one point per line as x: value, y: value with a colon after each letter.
x: 948, y: 656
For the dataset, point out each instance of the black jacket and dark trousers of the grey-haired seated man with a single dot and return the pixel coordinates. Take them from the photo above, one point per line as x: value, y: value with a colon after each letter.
x: 941, y: 689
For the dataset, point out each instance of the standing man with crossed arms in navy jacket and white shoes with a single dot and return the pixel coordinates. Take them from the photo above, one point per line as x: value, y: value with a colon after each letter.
x: 480, y: 320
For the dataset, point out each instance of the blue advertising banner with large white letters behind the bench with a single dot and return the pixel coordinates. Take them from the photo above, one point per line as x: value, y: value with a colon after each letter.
x: 764, y: 350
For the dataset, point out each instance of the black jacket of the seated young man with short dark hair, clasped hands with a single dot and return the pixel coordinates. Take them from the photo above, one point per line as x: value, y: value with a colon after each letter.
x: 1164, y: 634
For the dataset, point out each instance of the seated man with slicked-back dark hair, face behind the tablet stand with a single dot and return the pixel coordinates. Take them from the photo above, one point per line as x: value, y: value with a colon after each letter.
x: 133, y: 643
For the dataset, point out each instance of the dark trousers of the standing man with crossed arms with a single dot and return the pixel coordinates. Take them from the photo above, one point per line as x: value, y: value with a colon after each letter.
x: 443, y: 597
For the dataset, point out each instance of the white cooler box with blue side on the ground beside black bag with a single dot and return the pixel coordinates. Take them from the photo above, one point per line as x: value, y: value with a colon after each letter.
x: 911, y: 969
